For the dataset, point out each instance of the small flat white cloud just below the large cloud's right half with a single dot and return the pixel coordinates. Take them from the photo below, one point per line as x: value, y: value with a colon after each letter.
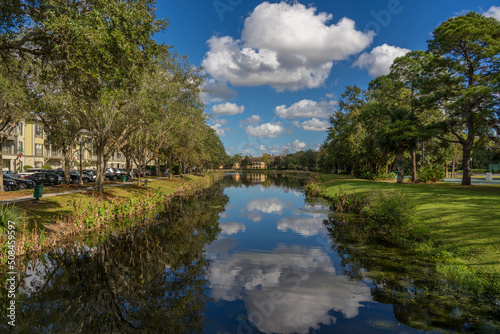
x: 306, y: 109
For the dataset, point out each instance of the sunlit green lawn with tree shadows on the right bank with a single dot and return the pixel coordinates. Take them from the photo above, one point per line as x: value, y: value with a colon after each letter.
x: 463, y: 220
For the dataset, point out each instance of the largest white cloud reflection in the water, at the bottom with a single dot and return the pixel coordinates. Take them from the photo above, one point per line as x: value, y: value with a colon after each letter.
x: 303, y: 280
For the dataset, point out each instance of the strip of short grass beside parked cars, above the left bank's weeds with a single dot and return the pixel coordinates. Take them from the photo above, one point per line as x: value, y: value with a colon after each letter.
x: 47, y: 209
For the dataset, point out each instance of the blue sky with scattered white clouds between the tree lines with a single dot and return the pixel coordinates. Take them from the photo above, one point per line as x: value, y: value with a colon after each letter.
x: 276, y: 69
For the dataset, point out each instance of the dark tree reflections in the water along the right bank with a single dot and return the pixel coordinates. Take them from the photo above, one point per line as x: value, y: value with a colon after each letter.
x: 420, y: 298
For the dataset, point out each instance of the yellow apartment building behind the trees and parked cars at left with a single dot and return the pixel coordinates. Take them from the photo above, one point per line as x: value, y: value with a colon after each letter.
x: 28, y: 146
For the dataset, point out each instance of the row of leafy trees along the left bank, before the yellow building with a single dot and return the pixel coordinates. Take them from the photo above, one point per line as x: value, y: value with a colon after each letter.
x: 91, y: 71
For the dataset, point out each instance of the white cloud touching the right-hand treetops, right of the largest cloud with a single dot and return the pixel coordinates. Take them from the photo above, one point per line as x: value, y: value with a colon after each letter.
x: 379, y: 60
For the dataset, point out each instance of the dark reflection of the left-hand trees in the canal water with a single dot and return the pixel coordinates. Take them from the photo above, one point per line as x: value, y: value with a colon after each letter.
x: 150, y: 278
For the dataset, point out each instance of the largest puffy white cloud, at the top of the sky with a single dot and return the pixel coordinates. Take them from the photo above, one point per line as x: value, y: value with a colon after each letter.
x: 287, y: 46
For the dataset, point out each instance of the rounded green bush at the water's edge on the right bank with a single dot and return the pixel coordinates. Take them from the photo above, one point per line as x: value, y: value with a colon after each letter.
x: 390, y: 217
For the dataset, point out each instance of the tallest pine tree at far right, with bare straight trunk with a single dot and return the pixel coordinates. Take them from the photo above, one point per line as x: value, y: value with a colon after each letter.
x: 464, y: 79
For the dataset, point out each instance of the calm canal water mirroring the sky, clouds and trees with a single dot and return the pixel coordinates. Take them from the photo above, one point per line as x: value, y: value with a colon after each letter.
x: 248, y: 256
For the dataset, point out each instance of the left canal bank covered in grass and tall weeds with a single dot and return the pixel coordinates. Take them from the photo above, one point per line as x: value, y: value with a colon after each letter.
x: 55, y: 220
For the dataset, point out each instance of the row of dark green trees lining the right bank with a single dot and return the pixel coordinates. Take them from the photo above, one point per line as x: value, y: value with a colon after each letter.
x: 436, y: 105
